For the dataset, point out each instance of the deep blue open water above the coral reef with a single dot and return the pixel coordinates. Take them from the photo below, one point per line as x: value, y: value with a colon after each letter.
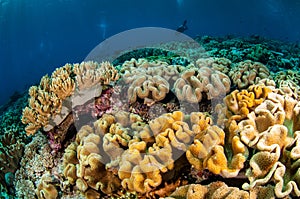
x: 36, y: 36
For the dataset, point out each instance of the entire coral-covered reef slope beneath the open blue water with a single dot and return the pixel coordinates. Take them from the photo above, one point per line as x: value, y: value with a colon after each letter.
x: 219, y: 121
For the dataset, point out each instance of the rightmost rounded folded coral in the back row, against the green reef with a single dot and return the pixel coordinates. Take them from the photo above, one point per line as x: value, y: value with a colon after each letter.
x: 247, y: 73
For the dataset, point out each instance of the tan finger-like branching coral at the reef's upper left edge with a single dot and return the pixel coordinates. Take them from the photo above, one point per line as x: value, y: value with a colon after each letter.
x: 49, y: 103
